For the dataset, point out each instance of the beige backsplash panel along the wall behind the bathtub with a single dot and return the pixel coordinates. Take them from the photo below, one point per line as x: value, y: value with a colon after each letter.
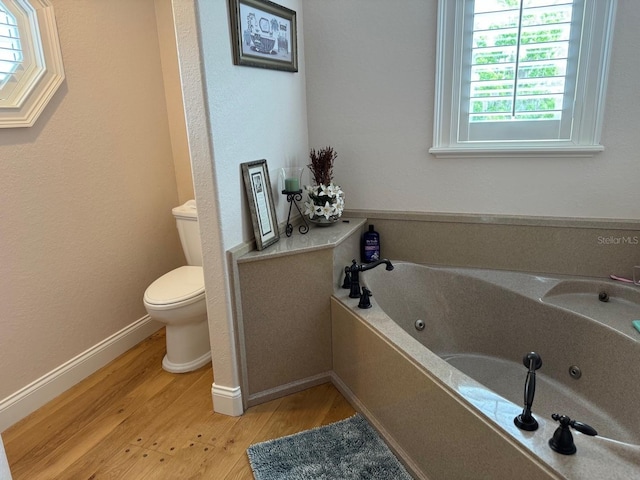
x: 550, y: 245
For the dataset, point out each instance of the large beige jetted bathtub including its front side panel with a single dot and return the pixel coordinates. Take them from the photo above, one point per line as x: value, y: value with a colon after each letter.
x: 445, y: 396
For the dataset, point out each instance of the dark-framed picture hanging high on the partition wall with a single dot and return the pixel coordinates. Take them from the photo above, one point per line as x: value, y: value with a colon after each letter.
x: 264, y: 34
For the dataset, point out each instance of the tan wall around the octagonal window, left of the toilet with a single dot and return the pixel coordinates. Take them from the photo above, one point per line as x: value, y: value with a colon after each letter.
x: 86, y: 194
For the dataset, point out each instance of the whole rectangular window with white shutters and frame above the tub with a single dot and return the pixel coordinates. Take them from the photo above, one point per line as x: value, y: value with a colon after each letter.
x: 521, y: 76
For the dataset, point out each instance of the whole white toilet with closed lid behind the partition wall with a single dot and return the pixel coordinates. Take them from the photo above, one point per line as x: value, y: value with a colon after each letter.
x: 177, y: 299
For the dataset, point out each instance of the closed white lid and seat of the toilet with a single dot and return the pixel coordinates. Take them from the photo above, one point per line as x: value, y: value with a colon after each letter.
x: 182, y: 286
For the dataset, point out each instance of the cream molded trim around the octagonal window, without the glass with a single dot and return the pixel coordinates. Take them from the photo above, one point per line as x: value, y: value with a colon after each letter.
x: 34, y: 90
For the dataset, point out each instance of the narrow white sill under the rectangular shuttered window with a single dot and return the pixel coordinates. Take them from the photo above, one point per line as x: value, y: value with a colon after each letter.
x: 512, y: 151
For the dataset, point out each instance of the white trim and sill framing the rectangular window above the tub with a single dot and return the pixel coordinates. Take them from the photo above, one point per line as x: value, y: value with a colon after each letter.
x: 590, y: 97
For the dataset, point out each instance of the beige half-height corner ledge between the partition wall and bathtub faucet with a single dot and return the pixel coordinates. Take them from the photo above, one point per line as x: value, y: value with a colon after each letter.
x: 282, y: 308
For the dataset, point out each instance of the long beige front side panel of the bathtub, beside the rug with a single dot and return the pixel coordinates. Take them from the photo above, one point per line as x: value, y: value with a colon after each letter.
x: 399, y: 391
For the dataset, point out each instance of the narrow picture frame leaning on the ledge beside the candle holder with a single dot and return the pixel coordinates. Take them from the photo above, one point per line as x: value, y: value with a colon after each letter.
x: 263, y: 214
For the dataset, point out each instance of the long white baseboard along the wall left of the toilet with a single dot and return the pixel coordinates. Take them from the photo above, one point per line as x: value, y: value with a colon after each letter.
x: 28, y: 399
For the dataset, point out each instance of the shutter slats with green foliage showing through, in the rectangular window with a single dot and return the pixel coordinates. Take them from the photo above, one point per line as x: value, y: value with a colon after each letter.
x: 519, y: 59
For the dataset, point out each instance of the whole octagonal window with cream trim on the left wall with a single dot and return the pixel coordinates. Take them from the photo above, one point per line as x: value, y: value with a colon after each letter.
x: 31, y: 67
